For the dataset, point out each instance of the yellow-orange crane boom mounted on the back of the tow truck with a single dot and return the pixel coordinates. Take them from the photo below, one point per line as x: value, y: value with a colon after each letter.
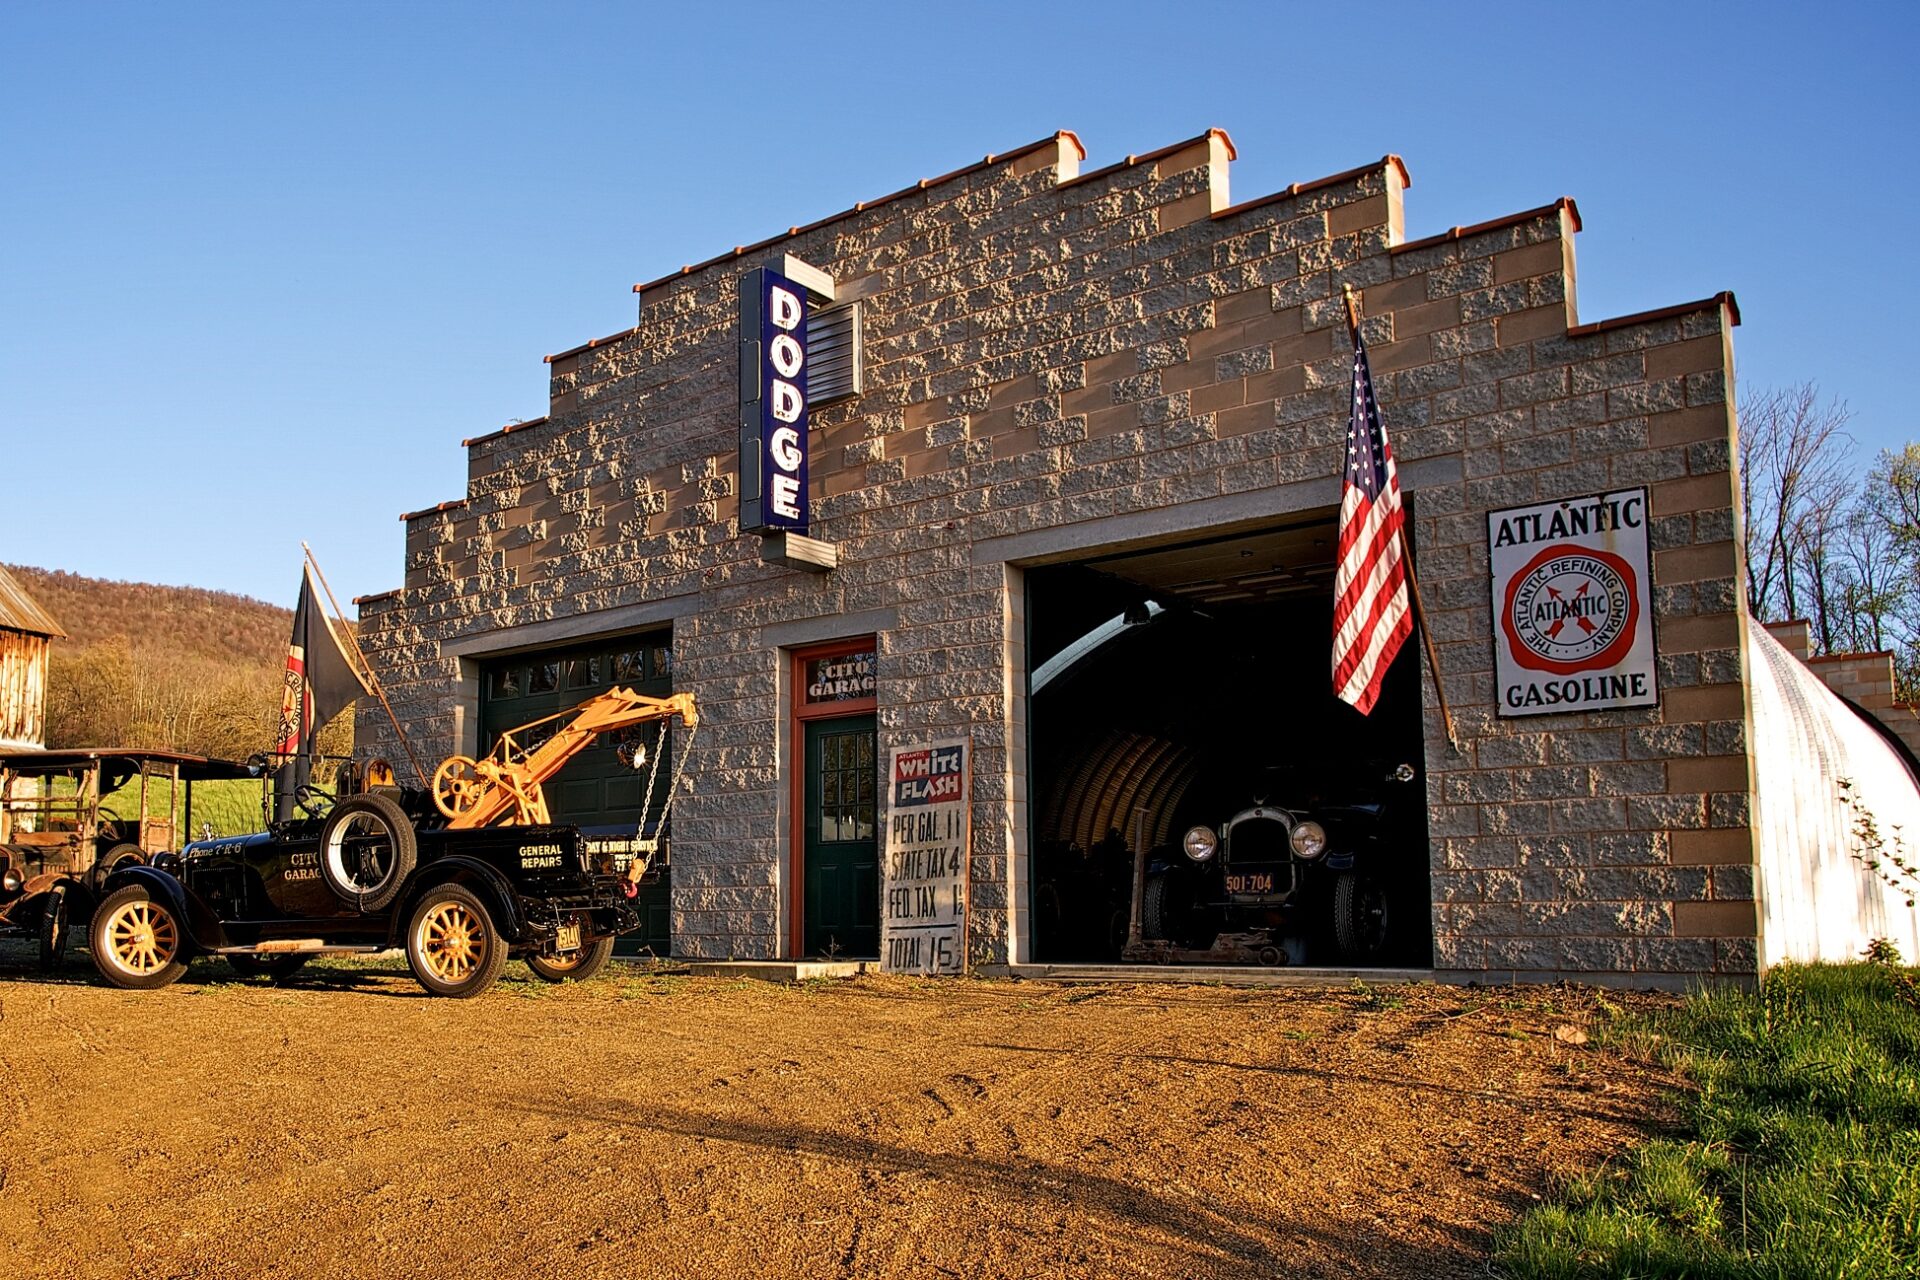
x: 508, y: 786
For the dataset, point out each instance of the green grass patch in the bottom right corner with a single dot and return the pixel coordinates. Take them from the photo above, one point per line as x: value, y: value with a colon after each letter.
x: 1800, y: 1149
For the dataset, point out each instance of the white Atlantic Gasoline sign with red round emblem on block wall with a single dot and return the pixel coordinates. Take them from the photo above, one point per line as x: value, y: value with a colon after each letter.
x: 1573, y: 605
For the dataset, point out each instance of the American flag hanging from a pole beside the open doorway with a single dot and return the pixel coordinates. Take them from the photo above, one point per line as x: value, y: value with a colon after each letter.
x: 1370, y: 581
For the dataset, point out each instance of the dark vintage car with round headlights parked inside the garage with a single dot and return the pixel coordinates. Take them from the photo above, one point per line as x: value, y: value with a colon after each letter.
x: 1280, y: 884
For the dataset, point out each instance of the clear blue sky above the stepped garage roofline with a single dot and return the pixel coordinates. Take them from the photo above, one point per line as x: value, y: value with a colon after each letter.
x: 266, y: 266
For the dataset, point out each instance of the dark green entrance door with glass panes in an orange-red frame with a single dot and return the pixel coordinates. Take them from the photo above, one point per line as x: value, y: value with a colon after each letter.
x: 842, y: 866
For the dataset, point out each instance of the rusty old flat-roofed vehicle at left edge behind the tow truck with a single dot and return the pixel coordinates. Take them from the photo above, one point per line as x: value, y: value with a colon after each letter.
x: 72, y: 818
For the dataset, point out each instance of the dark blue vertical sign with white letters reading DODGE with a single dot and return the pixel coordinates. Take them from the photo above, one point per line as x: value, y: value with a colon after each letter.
x: 773, y: 404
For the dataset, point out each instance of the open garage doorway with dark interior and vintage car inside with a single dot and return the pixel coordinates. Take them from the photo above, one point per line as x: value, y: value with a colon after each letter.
x: 1182, y: 696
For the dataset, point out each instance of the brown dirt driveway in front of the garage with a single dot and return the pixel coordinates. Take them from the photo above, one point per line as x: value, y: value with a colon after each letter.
x: 644, y: 1126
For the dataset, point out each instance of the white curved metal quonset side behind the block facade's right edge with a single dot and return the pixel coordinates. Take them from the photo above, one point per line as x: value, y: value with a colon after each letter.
x: 1819, y: 769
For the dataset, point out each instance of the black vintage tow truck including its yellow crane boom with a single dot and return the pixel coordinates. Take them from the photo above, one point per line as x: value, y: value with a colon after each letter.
x: 464, y: 874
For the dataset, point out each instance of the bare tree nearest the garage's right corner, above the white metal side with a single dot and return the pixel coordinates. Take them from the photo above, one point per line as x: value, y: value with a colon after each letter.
x: 1794, y: 477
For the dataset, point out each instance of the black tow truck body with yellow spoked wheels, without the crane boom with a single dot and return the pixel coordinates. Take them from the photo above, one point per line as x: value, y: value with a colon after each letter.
x: 368, y: 874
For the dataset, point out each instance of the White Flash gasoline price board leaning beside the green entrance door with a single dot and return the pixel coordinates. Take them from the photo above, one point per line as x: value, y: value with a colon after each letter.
x: 924, y: 876
